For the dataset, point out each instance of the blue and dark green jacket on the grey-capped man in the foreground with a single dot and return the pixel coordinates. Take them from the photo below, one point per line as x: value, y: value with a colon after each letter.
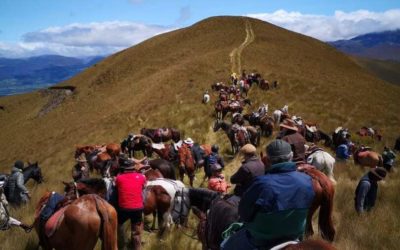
x: 276, y: 204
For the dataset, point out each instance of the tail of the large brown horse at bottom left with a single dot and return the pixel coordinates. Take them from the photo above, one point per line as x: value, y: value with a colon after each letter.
x: 108, y: 225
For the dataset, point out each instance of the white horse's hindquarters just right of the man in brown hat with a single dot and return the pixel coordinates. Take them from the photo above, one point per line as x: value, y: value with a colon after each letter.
x: 323, y: 161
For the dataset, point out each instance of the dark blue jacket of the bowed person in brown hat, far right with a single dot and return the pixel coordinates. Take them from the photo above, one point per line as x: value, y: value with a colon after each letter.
x: 366, y: 193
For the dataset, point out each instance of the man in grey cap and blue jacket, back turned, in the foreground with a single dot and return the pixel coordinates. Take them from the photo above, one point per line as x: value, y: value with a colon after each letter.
x: 272, y: 210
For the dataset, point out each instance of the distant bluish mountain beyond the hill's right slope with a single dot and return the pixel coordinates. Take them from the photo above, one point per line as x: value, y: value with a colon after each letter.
x: 383, y: 45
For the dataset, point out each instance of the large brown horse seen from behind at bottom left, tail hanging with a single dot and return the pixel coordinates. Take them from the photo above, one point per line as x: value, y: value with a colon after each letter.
x: 80, y: 224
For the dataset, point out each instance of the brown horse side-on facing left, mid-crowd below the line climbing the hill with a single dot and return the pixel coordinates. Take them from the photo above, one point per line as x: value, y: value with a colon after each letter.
x: 237, y: 136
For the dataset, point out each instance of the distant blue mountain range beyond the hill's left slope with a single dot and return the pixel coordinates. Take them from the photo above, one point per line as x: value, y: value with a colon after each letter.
x: 24, y: 75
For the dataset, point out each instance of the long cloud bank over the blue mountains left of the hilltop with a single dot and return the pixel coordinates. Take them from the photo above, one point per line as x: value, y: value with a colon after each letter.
x: 82, y: 39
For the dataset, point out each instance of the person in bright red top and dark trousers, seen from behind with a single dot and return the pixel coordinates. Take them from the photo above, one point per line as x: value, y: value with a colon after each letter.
x: 129, y: 186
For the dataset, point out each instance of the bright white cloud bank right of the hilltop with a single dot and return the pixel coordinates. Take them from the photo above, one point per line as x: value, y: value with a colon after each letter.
x: 341, y: 25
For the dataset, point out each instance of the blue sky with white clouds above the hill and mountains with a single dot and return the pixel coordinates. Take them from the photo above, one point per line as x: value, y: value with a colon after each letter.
x: 82, y: 28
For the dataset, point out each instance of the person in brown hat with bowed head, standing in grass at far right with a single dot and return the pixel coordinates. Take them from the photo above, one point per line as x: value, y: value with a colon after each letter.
x: 367, y: 189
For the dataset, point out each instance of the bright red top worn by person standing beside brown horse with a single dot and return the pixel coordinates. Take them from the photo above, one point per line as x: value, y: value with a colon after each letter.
x: 130, y: 186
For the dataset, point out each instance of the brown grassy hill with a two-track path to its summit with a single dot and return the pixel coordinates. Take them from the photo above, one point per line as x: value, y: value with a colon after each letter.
x: 160, y: 83
